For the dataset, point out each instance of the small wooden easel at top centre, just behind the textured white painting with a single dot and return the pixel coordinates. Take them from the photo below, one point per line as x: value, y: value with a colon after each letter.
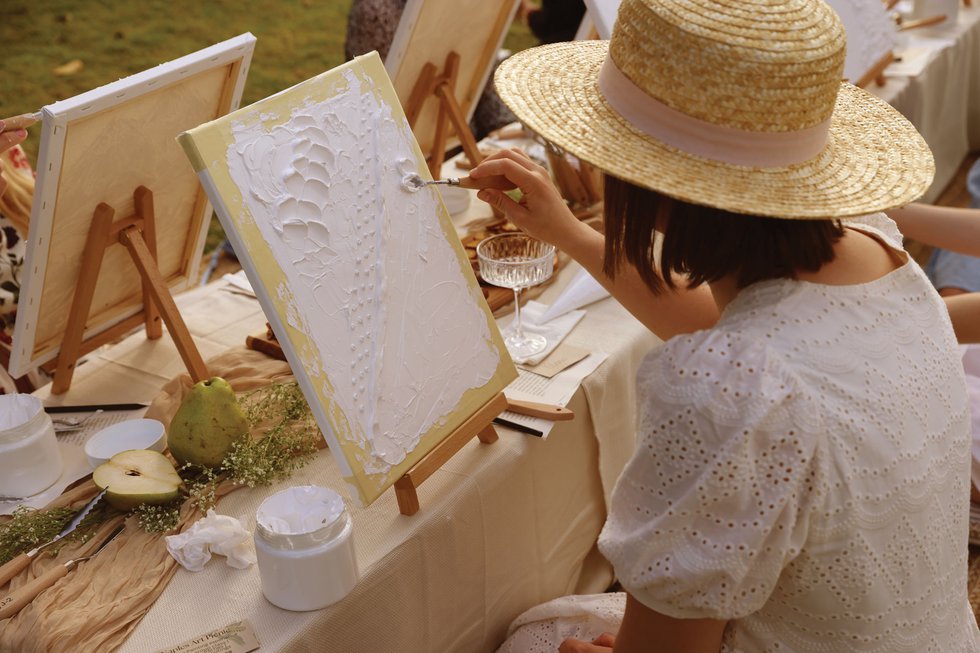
x: 441, y: 85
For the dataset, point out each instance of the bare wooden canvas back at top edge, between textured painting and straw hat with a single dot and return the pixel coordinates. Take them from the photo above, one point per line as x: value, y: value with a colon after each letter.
x: 428, y: 33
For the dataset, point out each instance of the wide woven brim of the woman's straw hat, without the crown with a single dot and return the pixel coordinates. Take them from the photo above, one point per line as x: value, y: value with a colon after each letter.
x: 874, y: 159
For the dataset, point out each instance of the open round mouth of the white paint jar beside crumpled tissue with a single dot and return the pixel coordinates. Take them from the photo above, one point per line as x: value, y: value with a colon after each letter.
x: 299, y: 510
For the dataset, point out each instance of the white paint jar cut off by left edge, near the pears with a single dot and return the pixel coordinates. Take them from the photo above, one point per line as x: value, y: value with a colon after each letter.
x: 30, y: 461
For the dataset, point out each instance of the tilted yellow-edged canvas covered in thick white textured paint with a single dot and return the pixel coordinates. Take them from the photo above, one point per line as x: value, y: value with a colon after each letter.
x: 365, y: 284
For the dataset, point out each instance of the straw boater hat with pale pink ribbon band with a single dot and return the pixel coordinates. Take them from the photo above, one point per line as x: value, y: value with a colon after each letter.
x: 736, y: 104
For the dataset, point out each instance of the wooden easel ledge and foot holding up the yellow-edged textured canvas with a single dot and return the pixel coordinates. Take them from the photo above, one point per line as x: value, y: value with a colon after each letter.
x: 480, y: 424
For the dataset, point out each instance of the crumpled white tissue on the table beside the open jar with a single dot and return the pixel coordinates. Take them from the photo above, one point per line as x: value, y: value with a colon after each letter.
x: 212, y: 533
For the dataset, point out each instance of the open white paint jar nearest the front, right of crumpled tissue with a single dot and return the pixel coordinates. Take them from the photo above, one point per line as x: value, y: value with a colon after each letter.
x: 304, y: 548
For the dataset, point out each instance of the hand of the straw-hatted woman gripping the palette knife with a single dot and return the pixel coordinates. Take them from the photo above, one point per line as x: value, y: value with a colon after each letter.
x: 541, y: 211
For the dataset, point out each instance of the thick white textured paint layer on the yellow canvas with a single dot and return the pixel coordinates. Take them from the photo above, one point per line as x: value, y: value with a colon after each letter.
x: 371, y: 278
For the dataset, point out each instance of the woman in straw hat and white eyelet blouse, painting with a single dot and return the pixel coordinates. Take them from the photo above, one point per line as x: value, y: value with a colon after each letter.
x: 802, y: 467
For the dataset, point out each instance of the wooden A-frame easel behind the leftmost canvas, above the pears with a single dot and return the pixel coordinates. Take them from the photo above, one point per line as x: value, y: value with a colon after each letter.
x: 138, y: 234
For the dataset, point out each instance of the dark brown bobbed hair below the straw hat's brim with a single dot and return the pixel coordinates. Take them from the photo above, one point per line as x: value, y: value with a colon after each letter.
x: 705, y: 244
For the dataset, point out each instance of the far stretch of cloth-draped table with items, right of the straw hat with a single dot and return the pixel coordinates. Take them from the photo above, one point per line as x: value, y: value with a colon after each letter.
x: 943, y: 99
